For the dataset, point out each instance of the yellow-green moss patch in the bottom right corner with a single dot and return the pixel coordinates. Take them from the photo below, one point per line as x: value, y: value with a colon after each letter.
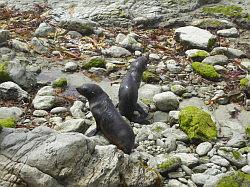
x: 238, y: 179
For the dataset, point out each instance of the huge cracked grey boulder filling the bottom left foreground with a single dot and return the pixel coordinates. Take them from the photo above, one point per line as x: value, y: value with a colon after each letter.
x: 43, y: 157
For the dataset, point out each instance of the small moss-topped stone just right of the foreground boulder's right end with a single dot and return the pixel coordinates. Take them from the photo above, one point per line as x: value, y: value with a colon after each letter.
x: 169, y: 164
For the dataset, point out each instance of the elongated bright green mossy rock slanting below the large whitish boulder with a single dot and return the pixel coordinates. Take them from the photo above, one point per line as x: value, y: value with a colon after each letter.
x: 205, y: 70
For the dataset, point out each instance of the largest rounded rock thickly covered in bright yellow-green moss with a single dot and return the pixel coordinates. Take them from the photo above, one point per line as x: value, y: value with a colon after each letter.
x: 197, y: 124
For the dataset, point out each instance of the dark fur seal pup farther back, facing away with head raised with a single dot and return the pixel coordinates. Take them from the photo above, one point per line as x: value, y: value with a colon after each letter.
x: 128, y: 91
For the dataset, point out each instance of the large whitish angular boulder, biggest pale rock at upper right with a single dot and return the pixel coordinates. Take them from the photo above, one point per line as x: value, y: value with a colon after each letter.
x: 195, y: 37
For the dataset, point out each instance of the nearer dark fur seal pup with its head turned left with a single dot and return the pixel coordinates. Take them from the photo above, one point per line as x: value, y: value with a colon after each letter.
x: 108, y: 120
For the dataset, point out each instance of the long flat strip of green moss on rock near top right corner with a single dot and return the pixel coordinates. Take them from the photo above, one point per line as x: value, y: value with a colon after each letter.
x: 228, y: 11
